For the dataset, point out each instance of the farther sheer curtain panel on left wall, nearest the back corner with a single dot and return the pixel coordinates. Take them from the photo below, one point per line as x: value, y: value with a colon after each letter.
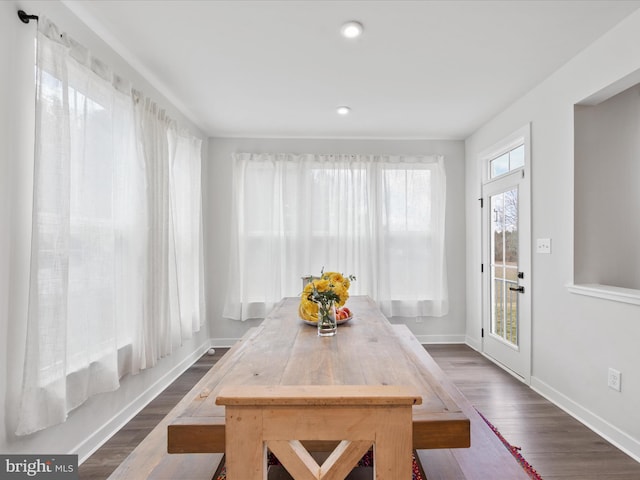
x: 173, y: 291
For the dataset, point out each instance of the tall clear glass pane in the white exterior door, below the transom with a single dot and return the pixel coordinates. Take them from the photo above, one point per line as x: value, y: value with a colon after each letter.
x: 504, y: 265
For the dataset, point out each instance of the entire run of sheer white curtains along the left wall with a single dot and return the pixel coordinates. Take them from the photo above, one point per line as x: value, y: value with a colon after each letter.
x: 102, y: 235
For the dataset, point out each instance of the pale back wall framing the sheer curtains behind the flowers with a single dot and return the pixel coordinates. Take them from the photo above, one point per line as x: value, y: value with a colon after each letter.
x: 217, y: 172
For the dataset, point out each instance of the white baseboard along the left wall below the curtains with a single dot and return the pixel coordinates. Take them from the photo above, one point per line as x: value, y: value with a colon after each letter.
x: 88, y: 446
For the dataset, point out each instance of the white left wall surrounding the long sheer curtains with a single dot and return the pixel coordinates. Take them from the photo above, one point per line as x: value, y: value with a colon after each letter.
x: 90, y: 424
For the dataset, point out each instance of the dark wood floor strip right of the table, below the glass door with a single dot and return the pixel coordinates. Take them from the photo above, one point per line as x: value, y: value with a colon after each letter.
x: 558, y: 446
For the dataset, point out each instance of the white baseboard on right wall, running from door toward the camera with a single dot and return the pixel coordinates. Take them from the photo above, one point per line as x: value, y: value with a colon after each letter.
x: 611, y: 433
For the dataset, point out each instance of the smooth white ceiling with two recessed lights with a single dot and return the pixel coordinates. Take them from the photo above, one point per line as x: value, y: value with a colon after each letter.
x: 421, y: 70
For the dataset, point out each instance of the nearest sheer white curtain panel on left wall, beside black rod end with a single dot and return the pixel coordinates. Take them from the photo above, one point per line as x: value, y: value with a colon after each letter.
x: 77, y: 250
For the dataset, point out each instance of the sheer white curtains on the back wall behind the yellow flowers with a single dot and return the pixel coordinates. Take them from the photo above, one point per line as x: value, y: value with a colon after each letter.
x: 380, y: 218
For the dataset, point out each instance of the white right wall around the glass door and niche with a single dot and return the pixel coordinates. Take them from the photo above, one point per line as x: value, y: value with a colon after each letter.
x: 575, y: 338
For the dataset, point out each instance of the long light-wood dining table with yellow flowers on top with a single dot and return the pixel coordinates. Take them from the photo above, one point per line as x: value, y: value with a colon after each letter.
x: 285, y: 351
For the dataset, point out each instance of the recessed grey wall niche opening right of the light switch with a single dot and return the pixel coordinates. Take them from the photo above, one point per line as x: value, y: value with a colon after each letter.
x: 607, y: 187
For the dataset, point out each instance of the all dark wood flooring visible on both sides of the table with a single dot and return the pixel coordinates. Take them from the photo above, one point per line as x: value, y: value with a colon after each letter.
x: 557, y: 445
